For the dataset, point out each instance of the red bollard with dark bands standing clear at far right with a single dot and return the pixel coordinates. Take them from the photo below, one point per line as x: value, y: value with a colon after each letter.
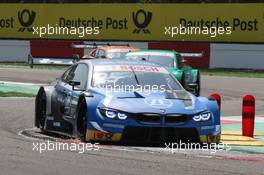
x: 248, y: 115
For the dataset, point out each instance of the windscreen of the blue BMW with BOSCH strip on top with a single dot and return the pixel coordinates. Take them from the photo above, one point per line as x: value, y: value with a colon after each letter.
x: 122, y: 76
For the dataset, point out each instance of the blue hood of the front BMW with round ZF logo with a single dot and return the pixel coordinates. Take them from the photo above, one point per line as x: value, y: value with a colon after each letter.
x: 181, y: 102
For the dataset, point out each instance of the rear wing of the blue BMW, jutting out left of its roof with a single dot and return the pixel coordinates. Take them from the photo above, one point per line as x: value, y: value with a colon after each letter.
x: 51, y: 61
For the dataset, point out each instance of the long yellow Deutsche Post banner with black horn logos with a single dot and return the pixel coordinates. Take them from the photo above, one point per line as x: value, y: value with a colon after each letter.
x: 140, y: 22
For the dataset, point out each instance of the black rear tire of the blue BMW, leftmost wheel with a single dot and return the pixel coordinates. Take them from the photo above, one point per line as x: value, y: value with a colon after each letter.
x: 41, y: 110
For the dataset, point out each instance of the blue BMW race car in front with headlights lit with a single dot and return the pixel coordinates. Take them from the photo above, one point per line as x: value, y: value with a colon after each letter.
x: 125, y: 101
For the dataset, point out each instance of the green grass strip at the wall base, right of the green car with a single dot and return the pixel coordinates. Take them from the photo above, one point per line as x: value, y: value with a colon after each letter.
x: 233, y: 73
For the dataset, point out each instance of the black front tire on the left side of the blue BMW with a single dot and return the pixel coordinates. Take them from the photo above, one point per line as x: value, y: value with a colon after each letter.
x: 82, y: 120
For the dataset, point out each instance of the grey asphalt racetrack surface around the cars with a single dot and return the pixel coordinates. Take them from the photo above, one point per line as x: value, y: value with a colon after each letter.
x: 18, y: 157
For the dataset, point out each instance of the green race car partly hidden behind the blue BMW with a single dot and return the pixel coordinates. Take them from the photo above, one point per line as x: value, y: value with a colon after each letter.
x: 174, y: 62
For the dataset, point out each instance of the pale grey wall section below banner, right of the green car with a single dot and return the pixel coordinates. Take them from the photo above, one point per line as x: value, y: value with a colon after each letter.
x: 245, y: 56
